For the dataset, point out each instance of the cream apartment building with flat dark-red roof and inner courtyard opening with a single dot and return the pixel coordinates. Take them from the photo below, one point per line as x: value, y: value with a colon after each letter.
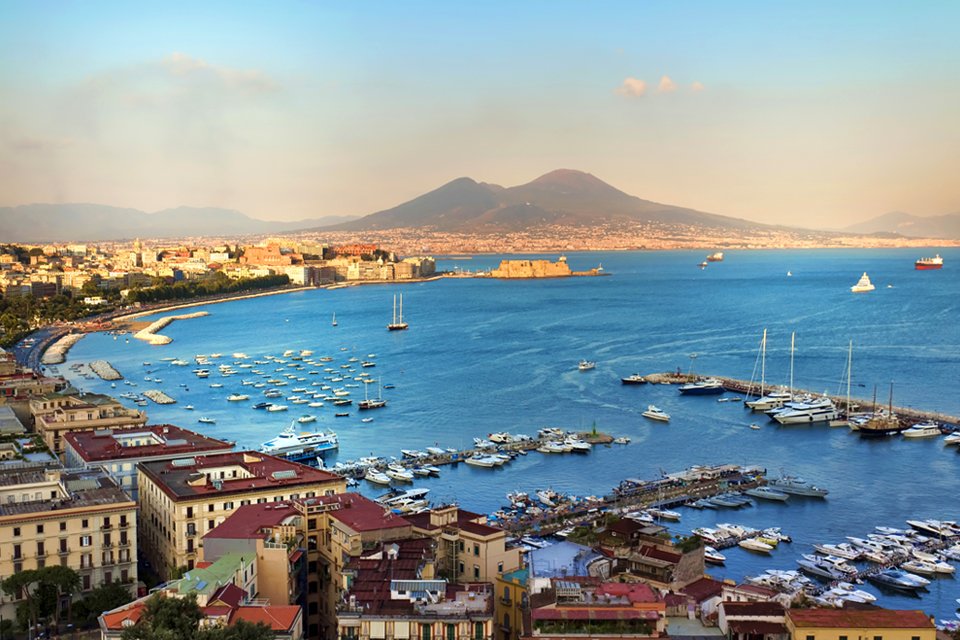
x: 182, y: 499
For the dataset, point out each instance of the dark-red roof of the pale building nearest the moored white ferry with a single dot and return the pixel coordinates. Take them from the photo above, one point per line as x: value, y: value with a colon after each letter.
x: 102, y: 445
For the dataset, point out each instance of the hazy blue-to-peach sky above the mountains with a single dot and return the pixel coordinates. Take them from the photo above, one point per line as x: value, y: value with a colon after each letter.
x: 809, y: 113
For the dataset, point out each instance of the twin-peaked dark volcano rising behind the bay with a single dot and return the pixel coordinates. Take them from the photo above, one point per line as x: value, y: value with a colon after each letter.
x: 564, y: 197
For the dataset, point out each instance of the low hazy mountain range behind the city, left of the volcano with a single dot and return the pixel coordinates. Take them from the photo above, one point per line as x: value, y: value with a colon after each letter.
x: 92, y: 222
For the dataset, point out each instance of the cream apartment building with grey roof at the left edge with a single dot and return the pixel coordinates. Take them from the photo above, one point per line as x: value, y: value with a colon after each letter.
x: 77, y: 519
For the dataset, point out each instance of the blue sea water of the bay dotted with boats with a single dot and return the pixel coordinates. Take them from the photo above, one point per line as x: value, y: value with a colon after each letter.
x: 486, y: 355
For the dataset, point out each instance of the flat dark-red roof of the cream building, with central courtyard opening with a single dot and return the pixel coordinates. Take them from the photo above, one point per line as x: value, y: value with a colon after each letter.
x: 174, y: 479
